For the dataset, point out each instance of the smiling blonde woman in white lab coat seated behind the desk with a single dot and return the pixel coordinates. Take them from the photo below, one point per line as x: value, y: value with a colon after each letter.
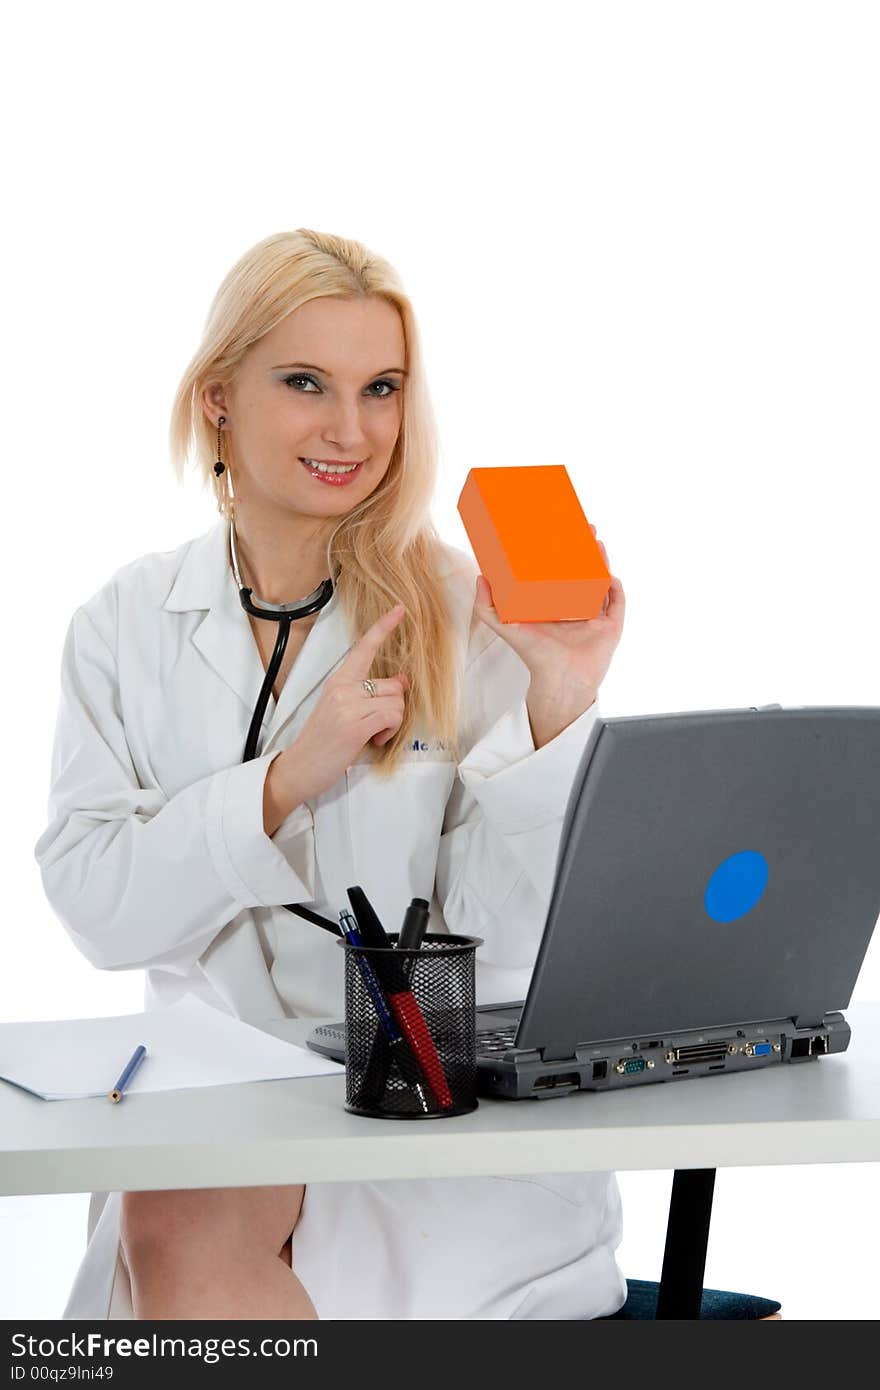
x: 168, y: 853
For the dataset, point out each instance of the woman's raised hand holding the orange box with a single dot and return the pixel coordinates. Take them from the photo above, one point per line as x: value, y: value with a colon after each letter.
x: 569, y: 660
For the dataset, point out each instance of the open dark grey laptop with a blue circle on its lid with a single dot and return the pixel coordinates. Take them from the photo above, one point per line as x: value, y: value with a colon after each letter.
x: 718, y: 882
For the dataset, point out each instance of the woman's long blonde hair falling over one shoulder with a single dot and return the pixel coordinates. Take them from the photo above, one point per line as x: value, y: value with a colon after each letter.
x: 386, y: 551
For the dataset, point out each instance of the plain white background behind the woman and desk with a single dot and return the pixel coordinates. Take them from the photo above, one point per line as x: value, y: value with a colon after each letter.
x: 642, y: 241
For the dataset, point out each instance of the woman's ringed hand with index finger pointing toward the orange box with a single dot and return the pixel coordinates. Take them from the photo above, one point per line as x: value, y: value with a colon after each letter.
x: 347, y: 718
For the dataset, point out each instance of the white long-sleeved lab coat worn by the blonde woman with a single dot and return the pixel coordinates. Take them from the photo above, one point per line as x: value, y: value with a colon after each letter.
x: 155, y: 858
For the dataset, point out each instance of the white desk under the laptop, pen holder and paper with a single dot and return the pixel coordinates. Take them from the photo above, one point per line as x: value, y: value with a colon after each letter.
x: 821, y: 1111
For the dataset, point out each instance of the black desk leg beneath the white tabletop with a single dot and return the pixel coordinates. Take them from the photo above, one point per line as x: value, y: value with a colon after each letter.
x: 687, y: 1236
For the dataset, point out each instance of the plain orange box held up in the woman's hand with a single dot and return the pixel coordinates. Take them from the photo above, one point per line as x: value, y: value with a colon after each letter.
x: 533, y: 544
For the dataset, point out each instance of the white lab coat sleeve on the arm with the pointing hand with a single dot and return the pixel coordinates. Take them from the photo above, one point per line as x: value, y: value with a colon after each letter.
x: 142, y: 879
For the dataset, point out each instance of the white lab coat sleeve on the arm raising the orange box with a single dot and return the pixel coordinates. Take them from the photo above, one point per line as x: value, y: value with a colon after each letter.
x: 505, y: 812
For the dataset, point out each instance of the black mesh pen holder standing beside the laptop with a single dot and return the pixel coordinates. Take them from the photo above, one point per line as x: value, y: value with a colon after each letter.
x: 411, y: 1028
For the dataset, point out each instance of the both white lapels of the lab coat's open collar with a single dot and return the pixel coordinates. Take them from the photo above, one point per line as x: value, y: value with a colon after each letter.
x: 226, y: 640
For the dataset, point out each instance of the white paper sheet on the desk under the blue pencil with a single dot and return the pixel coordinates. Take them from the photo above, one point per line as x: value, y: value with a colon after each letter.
x: 187, y: 1045
